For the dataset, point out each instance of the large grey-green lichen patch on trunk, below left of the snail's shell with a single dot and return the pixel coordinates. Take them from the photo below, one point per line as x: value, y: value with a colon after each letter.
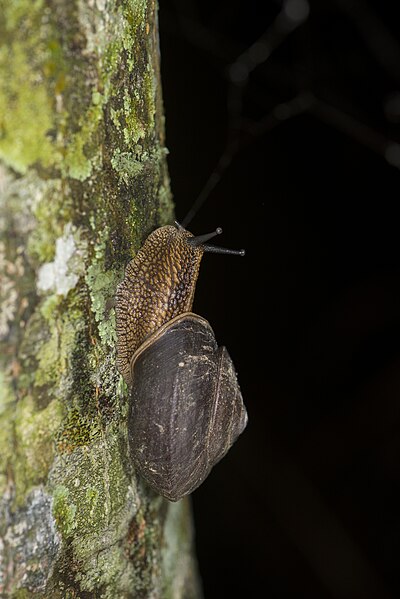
x: 94, y: 502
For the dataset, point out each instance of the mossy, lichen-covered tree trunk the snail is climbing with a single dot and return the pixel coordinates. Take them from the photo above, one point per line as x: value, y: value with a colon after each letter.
x: 83, y: 180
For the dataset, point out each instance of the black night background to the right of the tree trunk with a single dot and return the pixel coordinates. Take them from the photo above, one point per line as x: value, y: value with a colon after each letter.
x: 306, y: 503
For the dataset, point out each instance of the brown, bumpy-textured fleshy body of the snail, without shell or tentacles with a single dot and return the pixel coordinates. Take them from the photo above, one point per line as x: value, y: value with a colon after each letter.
x: 159, y: 284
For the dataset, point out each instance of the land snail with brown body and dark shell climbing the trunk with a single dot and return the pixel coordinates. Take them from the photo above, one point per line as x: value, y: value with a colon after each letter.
x: 185, y: 405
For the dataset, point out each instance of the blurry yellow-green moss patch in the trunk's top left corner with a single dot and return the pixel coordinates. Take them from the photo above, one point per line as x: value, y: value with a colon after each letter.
x: 34, y: 74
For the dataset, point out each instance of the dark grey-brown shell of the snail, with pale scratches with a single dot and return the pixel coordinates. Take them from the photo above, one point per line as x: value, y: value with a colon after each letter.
x: 186, y: 409
